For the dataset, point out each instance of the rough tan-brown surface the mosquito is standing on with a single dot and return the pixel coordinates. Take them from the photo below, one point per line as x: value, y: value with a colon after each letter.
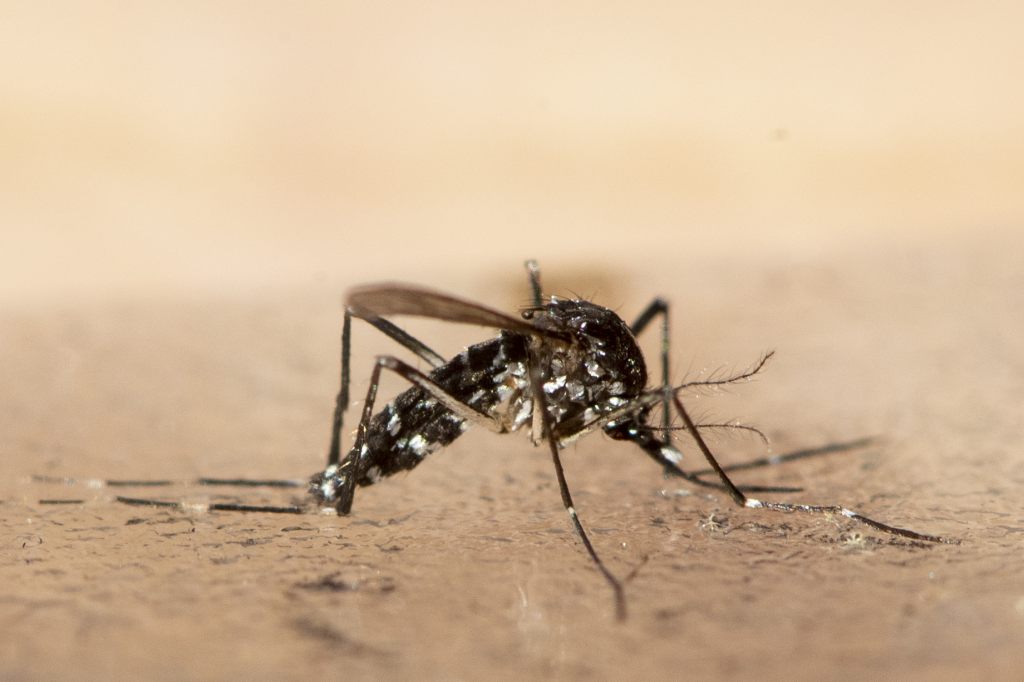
x: 466, y: 568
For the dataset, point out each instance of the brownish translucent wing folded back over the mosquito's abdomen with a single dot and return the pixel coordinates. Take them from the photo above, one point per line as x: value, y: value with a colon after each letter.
x: 400, y: 300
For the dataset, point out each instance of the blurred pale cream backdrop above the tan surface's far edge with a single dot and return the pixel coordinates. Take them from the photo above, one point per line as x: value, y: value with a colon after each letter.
x: 191, y: 148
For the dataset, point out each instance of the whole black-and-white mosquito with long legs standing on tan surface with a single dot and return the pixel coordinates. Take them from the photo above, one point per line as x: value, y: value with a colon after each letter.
x: 562, y: 369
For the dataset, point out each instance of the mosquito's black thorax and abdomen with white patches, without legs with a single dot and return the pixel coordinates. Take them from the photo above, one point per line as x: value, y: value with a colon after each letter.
x: 595, y: 375
